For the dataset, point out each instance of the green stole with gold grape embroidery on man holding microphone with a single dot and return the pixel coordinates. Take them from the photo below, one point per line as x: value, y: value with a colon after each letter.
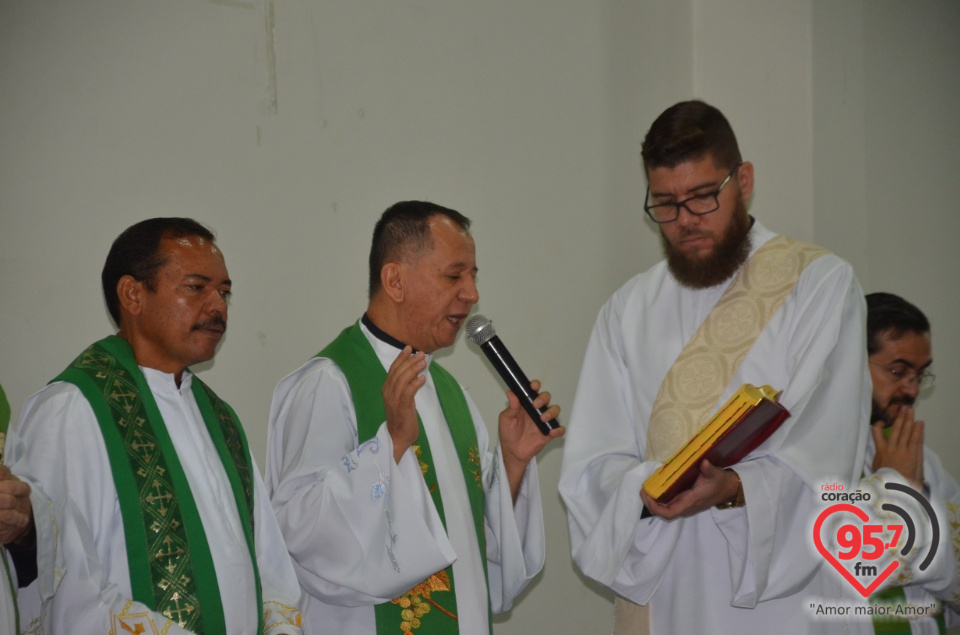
x: 365, y: 374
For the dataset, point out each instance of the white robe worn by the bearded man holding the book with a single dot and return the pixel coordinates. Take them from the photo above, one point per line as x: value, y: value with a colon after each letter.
x: 743, y: 570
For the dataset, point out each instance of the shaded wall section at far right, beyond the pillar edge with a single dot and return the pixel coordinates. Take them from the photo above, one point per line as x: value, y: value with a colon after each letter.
x: 886, y: 135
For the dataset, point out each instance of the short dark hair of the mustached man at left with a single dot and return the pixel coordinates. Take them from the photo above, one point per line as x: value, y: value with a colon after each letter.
x: 136, y: 252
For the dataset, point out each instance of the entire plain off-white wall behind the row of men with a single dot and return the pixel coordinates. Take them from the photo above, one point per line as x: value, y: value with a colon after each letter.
x: 289, y: 125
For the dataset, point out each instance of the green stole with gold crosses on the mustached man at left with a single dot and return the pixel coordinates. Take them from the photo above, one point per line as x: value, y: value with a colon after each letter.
x: 171, y: 568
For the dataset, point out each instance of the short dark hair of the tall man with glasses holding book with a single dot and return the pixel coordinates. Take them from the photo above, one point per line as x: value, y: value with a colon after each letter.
x: 688, y: 131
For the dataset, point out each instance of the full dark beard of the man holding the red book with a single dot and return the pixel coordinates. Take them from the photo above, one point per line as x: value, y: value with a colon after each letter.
x: 729, y: 254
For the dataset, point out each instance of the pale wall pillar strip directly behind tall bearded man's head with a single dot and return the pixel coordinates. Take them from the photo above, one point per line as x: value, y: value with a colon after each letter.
x: 752, y: 60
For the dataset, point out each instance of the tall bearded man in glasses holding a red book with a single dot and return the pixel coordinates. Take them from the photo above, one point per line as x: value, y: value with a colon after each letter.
x: 732, y: 304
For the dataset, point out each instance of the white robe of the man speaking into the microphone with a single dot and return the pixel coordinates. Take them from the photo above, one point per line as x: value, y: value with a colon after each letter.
x: 363, y: 529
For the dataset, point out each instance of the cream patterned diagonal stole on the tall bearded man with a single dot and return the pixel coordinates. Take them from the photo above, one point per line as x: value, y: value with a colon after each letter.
x: 697, y: 379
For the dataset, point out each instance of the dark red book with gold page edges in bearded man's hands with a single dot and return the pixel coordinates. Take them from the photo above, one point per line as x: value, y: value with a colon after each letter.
x: 748, y: 418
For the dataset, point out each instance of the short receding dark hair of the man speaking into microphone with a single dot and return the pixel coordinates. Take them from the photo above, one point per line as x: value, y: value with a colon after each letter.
x: 403, y: 231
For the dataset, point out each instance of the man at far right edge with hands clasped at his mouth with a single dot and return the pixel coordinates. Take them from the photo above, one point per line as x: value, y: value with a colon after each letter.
x: 898, y: 343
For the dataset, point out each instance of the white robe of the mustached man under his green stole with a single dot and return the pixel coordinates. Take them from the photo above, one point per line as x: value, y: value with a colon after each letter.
x: 65, y: 453
